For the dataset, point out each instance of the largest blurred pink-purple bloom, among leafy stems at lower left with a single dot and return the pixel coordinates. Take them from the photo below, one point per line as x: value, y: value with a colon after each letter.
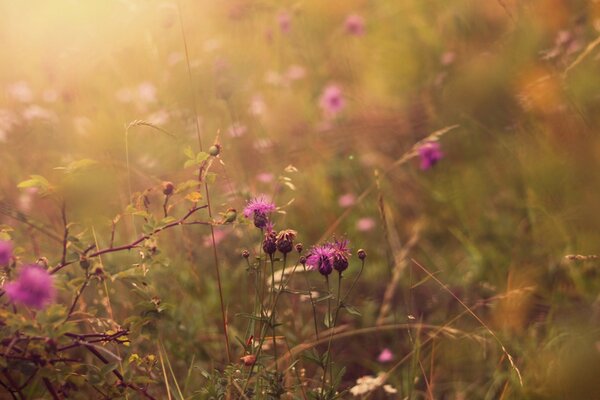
x: 34, y: 287
